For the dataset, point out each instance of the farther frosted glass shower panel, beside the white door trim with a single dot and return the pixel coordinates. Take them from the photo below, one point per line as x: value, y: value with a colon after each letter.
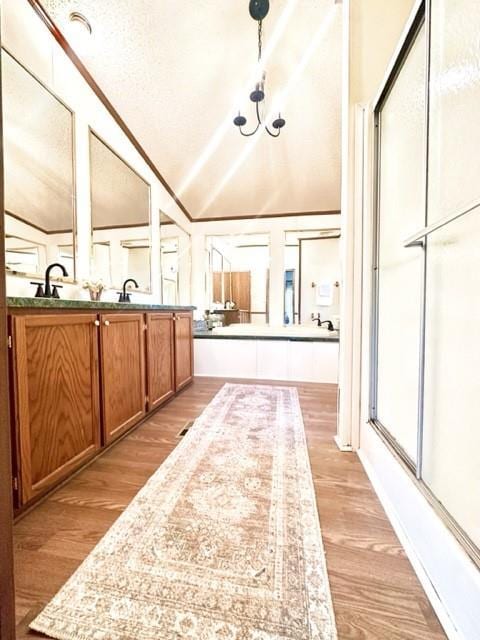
x: 401, y: 212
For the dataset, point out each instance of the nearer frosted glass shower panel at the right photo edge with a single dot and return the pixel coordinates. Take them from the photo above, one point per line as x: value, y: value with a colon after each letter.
x: 451, y: 468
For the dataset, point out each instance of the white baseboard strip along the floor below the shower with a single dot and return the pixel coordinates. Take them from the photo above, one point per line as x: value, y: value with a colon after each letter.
x: 437, y: 604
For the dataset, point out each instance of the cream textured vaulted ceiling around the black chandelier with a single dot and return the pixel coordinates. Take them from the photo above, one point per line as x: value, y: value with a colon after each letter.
x: 177, y: 72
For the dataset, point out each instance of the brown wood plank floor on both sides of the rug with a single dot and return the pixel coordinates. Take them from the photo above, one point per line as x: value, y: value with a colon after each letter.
x: 375, y: 591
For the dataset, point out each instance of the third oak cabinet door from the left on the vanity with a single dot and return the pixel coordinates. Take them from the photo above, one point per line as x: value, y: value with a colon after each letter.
x: 160, y: 358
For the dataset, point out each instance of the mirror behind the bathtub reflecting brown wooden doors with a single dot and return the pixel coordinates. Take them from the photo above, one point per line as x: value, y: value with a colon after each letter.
x: 238, y: 283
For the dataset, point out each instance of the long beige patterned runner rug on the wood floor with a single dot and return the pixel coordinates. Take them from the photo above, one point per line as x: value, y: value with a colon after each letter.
x: 222, y: 543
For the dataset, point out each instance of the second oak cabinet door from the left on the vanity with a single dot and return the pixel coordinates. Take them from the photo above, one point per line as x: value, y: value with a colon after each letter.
x: 122, y: 372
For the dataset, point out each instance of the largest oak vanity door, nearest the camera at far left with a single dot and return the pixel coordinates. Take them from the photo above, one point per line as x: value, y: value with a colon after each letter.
x: 56, y: 397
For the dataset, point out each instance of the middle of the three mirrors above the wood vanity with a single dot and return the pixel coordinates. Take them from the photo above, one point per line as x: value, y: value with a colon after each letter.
x: 121, y: 231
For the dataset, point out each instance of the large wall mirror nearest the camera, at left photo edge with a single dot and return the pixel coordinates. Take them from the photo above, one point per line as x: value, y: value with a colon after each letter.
x: 39, y: 176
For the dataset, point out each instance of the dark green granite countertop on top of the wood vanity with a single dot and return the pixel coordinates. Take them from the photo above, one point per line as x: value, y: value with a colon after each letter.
x: 55, y: 303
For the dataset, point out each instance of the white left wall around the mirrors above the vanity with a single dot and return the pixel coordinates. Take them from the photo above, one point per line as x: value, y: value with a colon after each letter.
x: 28, y: 39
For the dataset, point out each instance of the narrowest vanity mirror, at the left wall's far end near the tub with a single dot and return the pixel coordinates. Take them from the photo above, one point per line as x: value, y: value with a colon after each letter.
x: 175, y: 261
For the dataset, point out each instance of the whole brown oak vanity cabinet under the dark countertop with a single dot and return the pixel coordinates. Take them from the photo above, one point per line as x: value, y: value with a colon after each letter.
x: 80, y: 380
